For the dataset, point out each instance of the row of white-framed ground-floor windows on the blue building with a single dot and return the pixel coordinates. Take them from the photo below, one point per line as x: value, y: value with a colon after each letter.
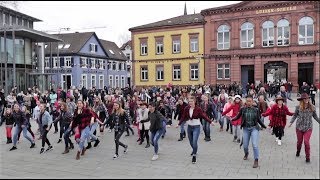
x: 114, y: 81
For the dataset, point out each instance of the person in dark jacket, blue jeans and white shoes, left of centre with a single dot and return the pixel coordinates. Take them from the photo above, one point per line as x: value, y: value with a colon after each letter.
x: 156, y: 128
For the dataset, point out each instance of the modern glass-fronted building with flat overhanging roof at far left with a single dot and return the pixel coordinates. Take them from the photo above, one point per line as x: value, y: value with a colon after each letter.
x: 20, y: 61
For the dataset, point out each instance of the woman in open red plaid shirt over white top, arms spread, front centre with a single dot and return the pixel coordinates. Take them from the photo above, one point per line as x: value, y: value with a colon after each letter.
x: 192, y: 114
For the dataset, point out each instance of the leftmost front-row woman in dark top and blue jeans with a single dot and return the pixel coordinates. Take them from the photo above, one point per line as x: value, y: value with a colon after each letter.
x: 21, y: 123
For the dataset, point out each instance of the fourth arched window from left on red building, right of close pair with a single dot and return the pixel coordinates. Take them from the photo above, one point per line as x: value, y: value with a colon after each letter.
x: 283, y: 32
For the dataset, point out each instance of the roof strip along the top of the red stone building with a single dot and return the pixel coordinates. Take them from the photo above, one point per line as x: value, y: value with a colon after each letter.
x: 243, y: 5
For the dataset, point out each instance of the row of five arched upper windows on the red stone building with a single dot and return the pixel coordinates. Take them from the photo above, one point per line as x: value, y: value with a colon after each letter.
x: 269, y: 38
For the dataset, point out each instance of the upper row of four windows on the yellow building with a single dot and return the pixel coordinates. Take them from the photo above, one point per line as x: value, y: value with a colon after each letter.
x: 175, y: 45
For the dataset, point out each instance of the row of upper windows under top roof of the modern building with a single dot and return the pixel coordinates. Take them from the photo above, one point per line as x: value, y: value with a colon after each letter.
x: 10, y: 20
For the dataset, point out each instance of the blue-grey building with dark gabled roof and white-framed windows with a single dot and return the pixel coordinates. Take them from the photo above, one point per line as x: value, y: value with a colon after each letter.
x: 84, y: 60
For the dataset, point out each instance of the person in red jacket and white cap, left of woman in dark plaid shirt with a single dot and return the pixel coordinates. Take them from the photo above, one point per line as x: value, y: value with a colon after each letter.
x: 235, y: 107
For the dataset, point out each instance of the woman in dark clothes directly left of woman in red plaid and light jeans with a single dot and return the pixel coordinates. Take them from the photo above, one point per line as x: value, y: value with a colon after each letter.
x: 65, y: 119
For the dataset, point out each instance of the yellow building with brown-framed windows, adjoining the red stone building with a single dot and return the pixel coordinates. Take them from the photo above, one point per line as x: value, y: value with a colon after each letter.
x: 169, y: 51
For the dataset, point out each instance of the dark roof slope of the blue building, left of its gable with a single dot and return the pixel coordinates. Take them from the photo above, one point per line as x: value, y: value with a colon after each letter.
x: 76, y: 41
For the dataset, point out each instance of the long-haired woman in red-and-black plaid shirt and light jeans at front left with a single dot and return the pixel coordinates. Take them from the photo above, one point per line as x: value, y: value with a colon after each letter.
x: 82, y: 119
